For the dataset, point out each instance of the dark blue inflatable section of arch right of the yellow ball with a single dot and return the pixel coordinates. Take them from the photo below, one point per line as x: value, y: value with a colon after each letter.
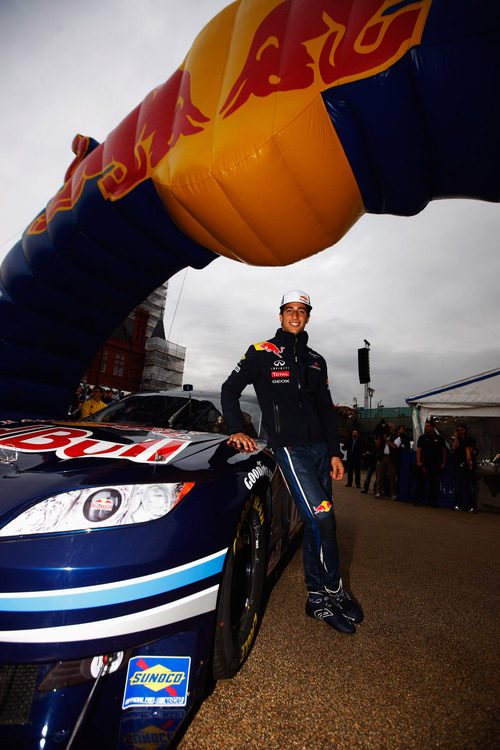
x: 412, y: 136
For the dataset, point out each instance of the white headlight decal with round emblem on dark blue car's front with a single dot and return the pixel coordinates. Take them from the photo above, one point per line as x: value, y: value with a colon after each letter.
x: 98, y: 508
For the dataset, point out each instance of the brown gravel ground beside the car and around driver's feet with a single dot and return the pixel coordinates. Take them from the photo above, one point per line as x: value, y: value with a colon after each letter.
x: 422, y: 670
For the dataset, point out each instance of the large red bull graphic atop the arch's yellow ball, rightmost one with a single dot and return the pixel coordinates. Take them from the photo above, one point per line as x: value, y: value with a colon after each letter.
x: 354, y: 40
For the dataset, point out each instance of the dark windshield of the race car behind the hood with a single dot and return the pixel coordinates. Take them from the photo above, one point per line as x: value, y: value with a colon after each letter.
x: 182, y: 413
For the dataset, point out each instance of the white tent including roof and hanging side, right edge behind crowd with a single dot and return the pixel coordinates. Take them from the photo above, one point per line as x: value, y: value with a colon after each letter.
x: 477, y: 396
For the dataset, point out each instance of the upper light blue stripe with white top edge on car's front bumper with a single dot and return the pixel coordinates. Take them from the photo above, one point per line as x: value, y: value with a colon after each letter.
x: 116, y: 592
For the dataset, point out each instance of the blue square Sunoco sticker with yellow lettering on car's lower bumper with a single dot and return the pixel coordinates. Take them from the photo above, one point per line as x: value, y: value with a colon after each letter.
x: 157, y: 681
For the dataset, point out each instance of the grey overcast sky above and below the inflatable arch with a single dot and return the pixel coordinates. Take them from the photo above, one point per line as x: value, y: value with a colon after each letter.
x: 424, y: 290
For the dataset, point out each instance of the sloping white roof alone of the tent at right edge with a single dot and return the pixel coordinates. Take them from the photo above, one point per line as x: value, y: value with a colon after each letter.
x: 476, y: 392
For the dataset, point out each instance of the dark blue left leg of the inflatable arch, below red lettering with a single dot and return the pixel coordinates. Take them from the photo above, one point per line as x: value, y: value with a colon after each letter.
x: 64, y: 291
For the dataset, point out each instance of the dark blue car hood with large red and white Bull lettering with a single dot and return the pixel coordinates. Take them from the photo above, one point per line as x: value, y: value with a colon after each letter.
x: 39, y: 458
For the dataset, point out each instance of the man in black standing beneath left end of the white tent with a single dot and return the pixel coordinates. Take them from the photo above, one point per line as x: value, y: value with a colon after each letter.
x: 431, y: 460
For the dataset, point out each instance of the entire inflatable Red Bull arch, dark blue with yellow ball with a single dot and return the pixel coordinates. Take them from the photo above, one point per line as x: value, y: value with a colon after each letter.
x: 287, y: 120
